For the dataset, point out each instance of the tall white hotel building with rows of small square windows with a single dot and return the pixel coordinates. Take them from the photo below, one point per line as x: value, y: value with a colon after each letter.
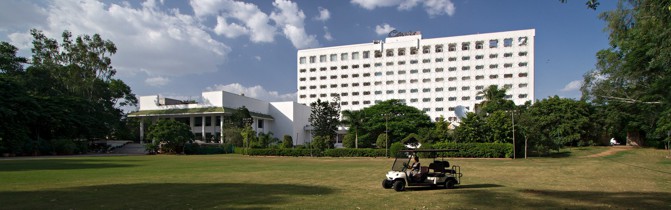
x: 437, y: 75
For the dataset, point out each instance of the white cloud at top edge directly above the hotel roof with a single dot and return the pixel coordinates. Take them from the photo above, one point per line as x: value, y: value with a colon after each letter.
x: 432, y: 7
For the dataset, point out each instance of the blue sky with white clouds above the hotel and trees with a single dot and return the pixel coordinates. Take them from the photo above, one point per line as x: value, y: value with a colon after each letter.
x: 181, y: 48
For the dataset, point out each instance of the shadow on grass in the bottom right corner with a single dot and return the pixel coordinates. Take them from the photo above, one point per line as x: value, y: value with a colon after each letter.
x: 536, y: 199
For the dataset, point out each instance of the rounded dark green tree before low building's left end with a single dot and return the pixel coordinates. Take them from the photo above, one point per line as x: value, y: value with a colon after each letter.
x: 173, y: 135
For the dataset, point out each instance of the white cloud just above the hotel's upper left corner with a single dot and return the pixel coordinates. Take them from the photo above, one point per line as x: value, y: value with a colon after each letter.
x: 290, y: 18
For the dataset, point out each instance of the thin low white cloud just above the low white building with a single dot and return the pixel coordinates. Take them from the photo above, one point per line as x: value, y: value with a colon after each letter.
x: 257, y: 92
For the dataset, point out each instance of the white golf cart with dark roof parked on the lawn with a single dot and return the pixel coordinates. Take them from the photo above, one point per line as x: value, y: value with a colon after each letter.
x: 437, y: 173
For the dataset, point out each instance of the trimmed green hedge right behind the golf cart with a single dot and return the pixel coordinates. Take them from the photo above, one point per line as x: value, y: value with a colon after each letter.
x: 477, y: 150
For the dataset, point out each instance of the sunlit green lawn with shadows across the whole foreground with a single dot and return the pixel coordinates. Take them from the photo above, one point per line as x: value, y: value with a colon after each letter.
x: 634, y: 179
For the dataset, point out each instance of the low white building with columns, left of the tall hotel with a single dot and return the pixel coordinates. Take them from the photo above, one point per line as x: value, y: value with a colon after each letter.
x: 206, y: 117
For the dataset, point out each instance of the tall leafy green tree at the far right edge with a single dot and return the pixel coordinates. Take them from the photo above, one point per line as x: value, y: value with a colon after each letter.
x: 632, y: 77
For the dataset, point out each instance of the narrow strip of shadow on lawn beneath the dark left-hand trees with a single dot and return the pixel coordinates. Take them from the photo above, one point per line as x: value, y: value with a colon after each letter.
x: 59, y: 164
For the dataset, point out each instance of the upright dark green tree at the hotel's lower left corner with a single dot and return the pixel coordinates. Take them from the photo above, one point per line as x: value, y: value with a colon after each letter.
x: 324, y: 119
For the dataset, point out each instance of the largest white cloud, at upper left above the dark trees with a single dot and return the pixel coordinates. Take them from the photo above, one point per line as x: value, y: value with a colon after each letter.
x: 158, y: 43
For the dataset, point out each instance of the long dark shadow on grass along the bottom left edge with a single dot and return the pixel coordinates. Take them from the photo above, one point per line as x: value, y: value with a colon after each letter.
x: 164, y: 196
